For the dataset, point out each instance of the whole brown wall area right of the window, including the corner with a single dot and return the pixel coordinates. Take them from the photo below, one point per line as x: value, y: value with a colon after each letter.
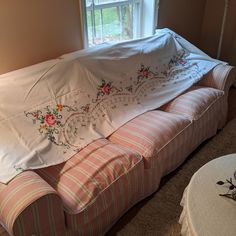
x: 200, y: 22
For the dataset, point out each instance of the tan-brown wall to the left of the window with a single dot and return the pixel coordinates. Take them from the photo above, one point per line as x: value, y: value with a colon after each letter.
x: 36, y: 30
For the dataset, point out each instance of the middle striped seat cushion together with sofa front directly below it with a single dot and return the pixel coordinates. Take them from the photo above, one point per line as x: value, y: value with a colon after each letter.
x: 164, y: 140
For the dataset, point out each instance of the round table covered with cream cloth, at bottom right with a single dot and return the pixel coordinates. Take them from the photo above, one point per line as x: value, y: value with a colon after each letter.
x: 205, y: 213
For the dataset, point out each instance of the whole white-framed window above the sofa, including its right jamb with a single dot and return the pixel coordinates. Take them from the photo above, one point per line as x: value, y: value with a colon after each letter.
x: 118, y: 20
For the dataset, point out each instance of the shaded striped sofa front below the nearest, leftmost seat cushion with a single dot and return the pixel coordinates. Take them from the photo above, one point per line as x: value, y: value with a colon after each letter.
x: 121, y: 195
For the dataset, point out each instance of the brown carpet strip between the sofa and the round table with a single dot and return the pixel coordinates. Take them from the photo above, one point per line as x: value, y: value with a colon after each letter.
x: 159, y: 214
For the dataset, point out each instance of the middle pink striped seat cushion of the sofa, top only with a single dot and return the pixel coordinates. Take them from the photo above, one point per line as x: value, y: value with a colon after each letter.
x: 148, y: 133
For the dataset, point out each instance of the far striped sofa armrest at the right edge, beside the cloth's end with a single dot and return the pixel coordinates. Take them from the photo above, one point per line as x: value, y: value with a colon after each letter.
x: 221, y: 77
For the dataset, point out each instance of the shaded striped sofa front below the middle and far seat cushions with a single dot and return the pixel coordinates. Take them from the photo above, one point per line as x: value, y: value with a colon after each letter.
x: 176, y: 151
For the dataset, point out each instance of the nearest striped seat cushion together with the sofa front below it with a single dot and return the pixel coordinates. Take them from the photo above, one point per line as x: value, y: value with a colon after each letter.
x: 97, y: 184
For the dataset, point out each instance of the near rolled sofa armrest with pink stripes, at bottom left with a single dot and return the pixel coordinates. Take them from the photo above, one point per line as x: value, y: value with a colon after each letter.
x: 30, y: 206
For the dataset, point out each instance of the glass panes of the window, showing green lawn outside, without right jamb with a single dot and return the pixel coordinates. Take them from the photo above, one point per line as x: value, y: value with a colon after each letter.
x: 111, y: 20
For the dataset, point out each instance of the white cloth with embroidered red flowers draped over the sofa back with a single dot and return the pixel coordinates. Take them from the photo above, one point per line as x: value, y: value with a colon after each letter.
x: 50, y: 111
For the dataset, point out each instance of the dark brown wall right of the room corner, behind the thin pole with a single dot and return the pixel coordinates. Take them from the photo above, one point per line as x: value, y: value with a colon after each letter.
x: 211, y: 28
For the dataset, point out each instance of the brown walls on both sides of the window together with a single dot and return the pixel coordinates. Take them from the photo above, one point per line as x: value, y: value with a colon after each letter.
x: 37, y: 30
